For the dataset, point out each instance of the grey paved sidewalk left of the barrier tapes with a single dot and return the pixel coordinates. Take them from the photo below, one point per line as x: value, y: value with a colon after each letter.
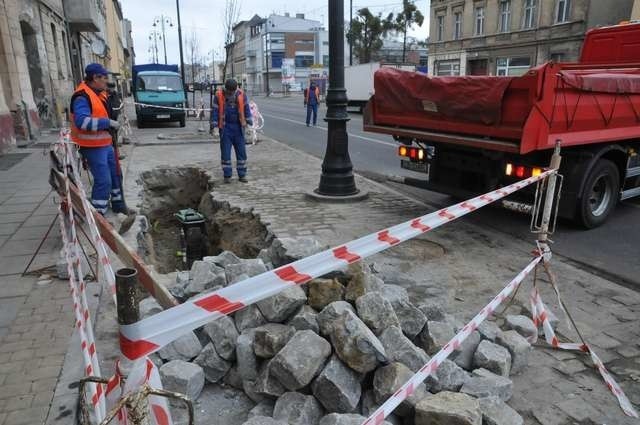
x: 36, y: 320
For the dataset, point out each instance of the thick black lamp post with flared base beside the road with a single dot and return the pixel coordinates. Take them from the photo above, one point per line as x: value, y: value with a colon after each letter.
x: 337, y: 171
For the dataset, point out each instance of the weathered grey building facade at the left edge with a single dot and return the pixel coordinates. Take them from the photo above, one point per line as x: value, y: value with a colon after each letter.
x: 35, y: 71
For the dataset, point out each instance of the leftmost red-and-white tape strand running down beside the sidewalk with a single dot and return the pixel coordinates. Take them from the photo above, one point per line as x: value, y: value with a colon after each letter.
x: 80, y: 305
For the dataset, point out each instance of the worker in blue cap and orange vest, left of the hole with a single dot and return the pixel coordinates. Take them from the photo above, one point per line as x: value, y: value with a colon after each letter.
x: 90, y: 124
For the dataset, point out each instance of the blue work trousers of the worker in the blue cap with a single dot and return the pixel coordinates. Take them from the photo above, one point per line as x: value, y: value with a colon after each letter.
x: 107, y: 182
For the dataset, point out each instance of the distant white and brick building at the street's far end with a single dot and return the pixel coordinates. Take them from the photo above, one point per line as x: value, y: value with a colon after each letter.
x: 261, y: 45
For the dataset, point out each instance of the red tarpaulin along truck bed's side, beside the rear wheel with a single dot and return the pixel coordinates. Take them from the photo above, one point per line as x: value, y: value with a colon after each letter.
x: 622, y: 82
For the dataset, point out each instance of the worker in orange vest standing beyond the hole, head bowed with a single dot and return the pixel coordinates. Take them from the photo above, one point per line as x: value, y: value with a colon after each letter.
x: 230, y: 115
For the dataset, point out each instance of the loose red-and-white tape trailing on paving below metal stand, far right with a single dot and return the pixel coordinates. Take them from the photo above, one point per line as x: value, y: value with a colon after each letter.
x: 540, y: 315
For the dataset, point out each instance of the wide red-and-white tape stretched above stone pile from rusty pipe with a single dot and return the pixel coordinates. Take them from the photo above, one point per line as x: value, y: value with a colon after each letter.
x: 152, y: 333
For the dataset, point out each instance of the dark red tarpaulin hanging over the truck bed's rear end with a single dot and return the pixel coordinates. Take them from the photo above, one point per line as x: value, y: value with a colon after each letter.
x: 476, y: 98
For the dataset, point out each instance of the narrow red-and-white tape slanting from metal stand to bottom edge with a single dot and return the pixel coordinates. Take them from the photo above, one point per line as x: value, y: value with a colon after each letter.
x: 409, y: 387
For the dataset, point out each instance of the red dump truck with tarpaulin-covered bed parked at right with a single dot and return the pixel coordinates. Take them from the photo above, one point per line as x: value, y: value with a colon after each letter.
x: 473, y: 134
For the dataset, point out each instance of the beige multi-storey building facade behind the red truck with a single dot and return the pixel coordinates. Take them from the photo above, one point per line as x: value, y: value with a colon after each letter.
x: 507, y: 37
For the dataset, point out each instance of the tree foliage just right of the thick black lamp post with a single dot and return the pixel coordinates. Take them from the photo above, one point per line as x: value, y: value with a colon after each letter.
x: 366, y: 32
